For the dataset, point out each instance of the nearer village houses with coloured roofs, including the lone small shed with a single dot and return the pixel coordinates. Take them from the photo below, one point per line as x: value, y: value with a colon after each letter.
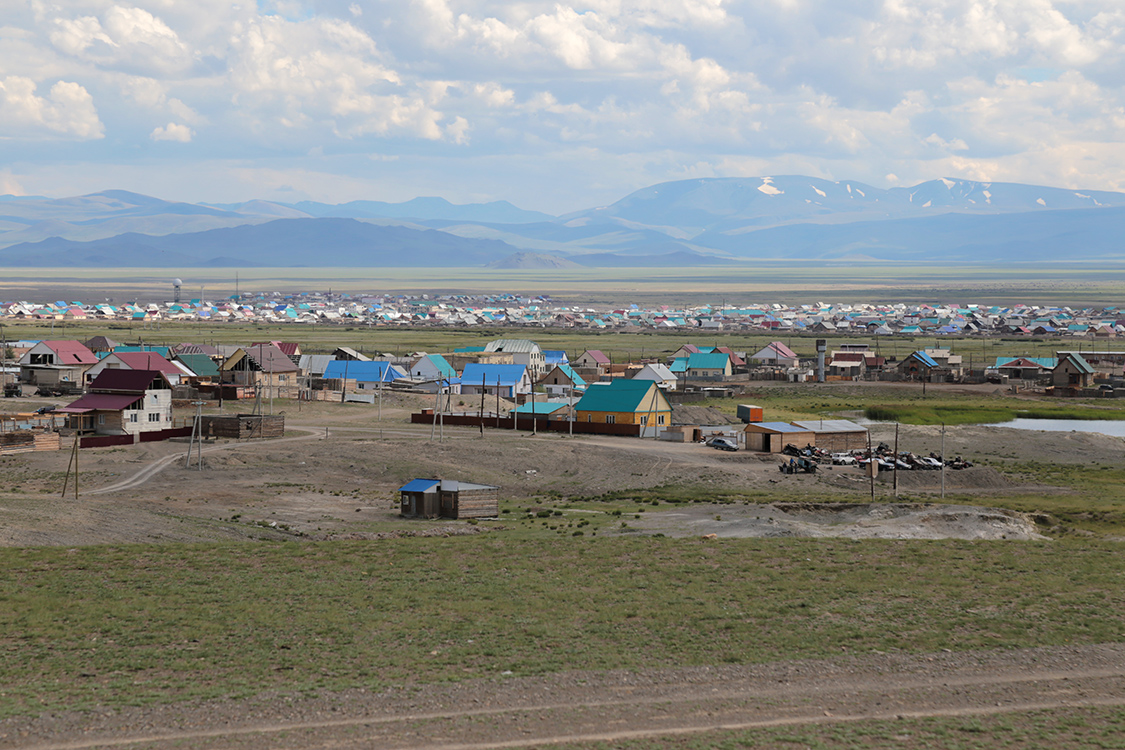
x: 100, y: 394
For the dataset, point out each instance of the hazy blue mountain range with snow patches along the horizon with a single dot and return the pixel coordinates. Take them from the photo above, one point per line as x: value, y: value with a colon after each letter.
x: 704, y: 222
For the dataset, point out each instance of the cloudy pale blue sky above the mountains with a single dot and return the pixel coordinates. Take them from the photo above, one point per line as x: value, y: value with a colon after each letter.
x: 552, y: 106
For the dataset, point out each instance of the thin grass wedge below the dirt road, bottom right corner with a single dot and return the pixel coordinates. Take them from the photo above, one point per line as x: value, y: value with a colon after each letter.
x: 1074, y: 729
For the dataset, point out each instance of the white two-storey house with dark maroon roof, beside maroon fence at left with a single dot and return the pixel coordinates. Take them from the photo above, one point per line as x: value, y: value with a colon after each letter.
x: 123, y: 403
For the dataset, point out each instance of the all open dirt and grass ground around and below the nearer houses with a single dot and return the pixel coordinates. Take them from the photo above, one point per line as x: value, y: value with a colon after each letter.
x: 275, y: 600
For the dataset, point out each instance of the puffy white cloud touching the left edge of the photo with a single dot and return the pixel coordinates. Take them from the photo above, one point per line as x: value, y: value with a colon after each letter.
x: 68, y: 111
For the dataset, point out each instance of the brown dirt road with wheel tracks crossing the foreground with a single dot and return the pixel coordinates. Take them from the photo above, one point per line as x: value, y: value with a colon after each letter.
x: 511, y: 712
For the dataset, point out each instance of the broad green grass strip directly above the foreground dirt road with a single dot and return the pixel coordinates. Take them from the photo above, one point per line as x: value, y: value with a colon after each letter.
x: 139, y: 625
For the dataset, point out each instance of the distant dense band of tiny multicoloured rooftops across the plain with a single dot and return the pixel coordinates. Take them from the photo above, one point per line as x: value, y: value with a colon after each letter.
x: 497, y: 311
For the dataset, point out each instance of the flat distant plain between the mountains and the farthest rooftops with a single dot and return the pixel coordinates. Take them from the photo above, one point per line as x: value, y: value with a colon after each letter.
x: 749, y: 284
